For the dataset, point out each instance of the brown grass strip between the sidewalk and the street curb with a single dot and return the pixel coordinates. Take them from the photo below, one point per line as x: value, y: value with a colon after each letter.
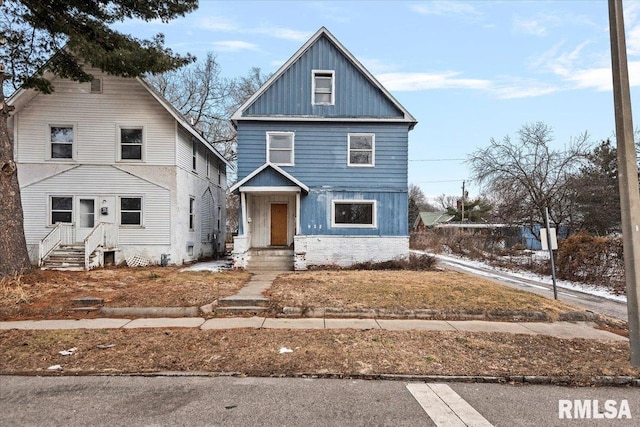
x: 344, y: 352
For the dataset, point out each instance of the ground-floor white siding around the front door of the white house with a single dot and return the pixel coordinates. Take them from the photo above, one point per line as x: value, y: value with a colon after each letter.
x: 96, y: 181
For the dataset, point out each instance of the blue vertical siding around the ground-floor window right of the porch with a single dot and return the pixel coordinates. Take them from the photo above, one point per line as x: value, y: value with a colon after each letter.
x: 391, y: 211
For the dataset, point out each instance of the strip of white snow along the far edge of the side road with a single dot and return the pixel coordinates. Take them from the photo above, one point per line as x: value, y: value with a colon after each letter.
x: 580, y: 287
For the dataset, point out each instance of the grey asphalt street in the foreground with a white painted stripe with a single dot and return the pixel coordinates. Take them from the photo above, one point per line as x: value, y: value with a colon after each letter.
x: 231, y: 401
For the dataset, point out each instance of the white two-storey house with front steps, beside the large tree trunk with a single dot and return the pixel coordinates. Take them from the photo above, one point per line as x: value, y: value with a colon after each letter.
x: 109, y: 166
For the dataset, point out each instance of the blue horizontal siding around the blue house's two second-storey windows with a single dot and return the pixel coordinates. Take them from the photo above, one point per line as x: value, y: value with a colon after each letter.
x: 321, y: 153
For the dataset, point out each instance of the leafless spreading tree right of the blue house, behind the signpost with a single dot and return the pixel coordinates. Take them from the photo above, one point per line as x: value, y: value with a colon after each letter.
x: 527, y: 176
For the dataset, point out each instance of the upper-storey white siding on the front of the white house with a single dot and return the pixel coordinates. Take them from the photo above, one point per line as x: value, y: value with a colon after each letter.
x: 96, y: 117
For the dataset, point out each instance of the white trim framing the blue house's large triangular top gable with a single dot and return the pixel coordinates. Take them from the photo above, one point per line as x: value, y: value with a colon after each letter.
x: 240, y: 113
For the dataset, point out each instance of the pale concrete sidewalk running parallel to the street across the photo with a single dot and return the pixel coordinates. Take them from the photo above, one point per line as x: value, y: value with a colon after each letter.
x: 557, y: 329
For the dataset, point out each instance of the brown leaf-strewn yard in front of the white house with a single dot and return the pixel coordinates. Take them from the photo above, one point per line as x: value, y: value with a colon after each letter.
x: 49, y: 294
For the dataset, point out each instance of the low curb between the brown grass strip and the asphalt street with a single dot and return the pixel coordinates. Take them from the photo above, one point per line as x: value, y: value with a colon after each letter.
x: 561, y: 380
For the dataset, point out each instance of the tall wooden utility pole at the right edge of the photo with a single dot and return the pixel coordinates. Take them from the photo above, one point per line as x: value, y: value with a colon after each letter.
x: 627, y: 174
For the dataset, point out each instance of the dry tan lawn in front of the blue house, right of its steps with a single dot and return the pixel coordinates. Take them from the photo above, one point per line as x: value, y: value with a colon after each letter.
x: 439, y: 290
